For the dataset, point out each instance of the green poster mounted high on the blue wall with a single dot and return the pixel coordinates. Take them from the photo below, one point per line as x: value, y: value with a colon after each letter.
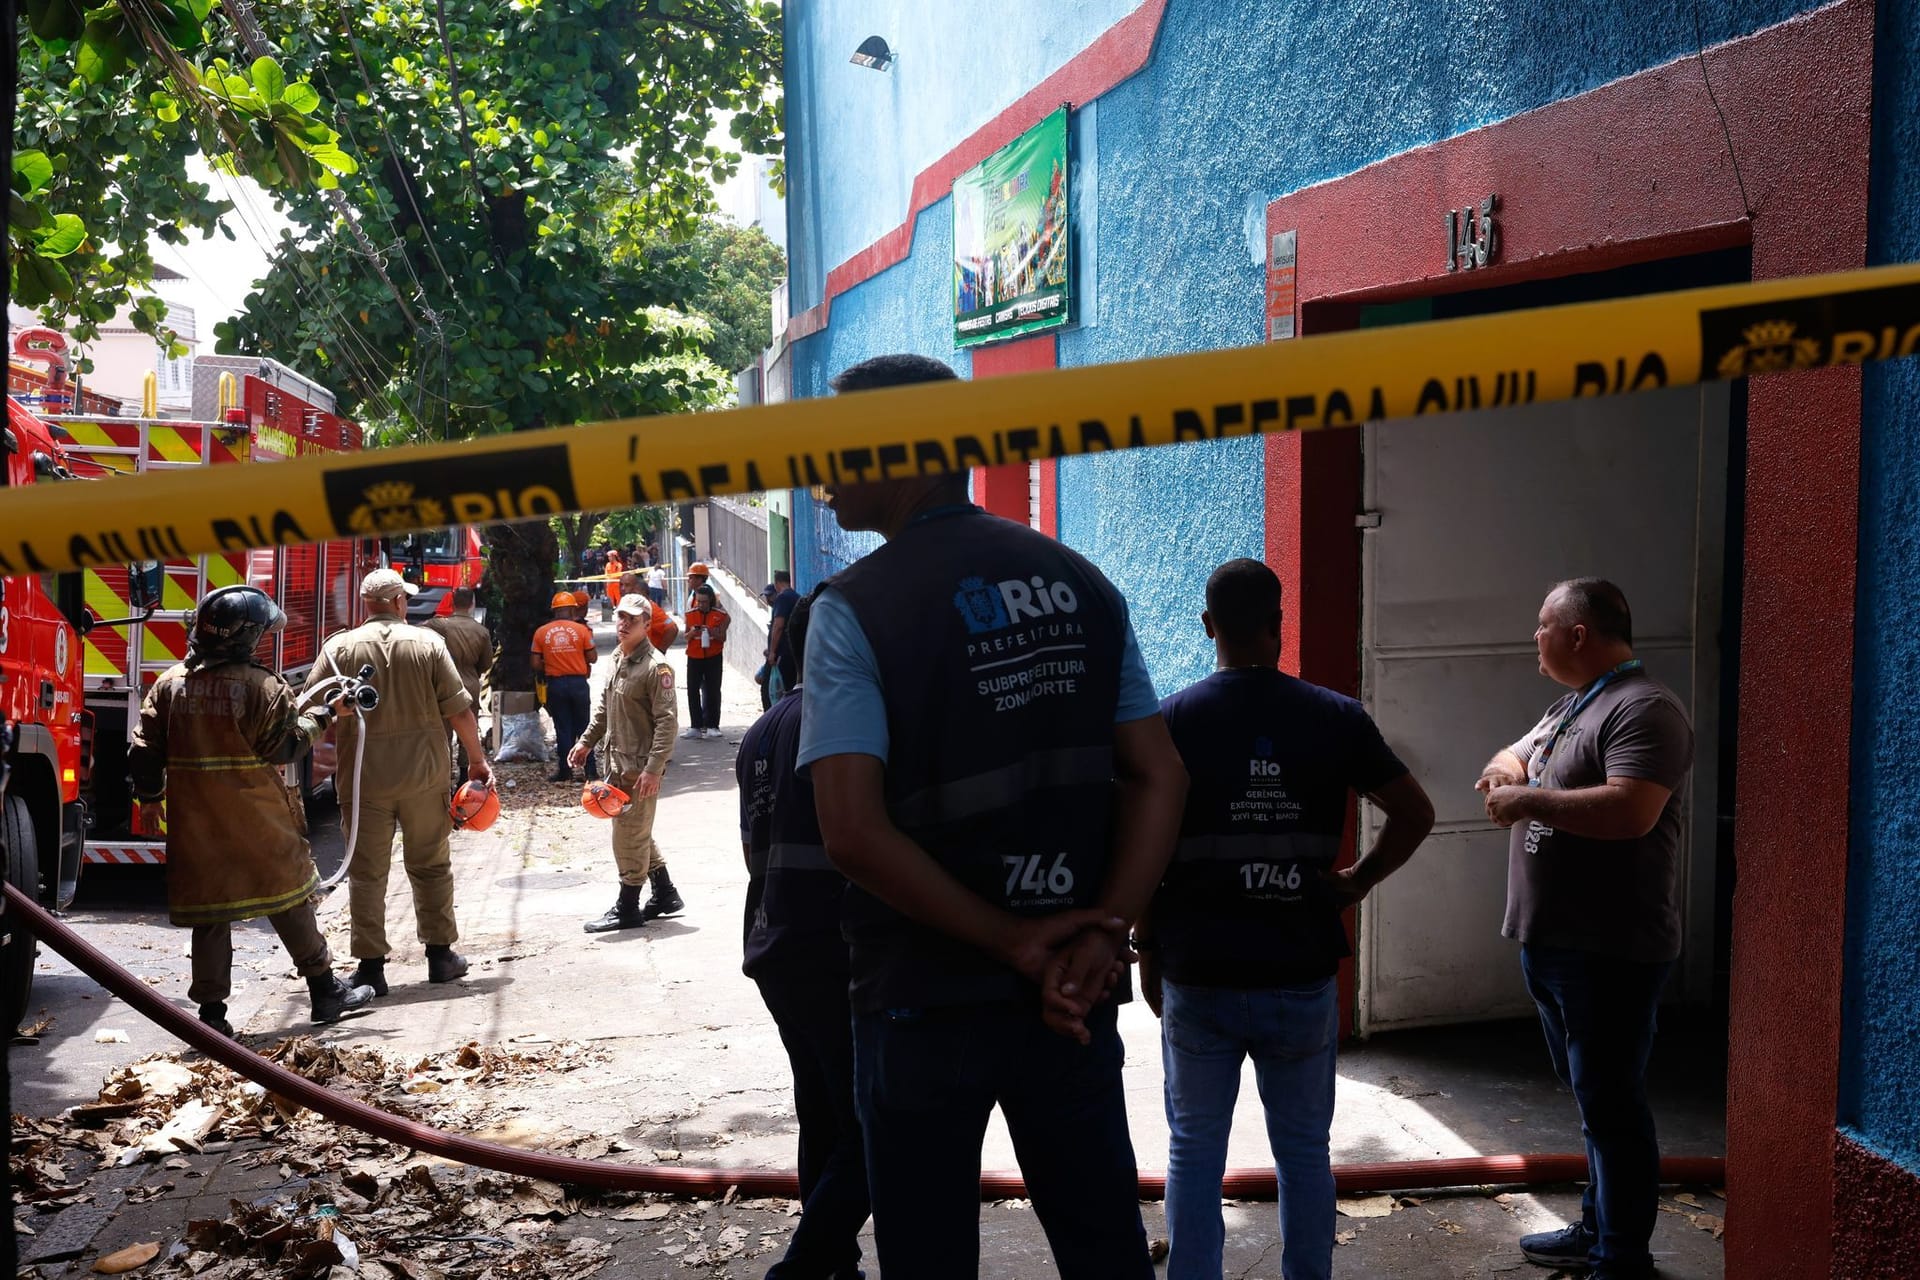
x: 1011, y: 239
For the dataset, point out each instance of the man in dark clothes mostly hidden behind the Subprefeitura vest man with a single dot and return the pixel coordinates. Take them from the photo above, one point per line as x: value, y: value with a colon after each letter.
x: 798, y: 959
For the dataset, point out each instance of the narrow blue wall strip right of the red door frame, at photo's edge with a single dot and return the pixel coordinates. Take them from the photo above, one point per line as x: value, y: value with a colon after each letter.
x: 1881, y: 1060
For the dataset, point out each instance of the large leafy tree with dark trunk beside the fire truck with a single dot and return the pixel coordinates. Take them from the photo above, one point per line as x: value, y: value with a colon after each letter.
x: 466, y: 281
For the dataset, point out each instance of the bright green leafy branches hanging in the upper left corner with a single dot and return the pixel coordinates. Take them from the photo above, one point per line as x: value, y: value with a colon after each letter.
x: 112, y: 101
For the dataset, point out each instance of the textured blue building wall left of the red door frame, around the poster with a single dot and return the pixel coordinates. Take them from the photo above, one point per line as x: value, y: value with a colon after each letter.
x: 1241, y: 103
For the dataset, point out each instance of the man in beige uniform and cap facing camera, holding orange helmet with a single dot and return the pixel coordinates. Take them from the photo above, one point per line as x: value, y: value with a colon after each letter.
x: 638, y: 719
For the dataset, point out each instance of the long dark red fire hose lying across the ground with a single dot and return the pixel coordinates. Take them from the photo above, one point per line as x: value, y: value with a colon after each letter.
x: 1003, y: 1185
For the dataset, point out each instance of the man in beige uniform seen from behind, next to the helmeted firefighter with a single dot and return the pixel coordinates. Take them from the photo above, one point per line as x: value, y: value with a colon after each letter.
x: 402, y: 776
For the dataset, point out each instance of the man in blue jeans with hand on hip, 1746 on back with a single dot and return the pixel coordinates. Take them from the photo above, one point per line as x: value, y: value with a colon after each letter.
x: 1243, y: 941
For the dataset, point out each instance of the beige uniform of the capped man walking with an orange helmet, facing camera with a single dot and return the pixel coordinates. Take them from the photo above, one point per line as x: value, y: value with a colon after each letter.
x: 636, y: 721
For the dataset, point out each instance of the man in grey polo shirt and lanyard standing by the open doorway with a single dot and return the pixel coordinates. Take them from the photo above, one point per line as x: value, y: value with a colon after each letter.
x: 1595, y: 797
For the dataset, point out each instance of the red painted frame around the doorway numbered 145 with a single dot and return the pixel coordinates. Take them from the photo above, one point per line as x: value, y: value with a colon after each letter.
x: 1639, y: 172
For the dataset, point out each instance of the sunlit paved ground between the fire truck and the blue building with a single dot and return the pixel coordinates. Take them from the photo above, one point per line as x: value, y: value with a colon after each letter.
x: 688, y: 1066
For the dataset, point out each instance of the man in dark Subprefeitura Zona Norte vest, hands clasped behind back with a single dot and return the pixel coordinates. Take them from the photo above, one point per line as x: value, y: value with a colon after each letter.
x: 996, y: 780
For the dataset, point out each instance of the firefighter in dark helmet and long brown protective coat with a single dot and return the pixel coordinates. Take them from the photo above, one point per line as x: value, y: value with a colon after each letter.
x: 212, y: 740
